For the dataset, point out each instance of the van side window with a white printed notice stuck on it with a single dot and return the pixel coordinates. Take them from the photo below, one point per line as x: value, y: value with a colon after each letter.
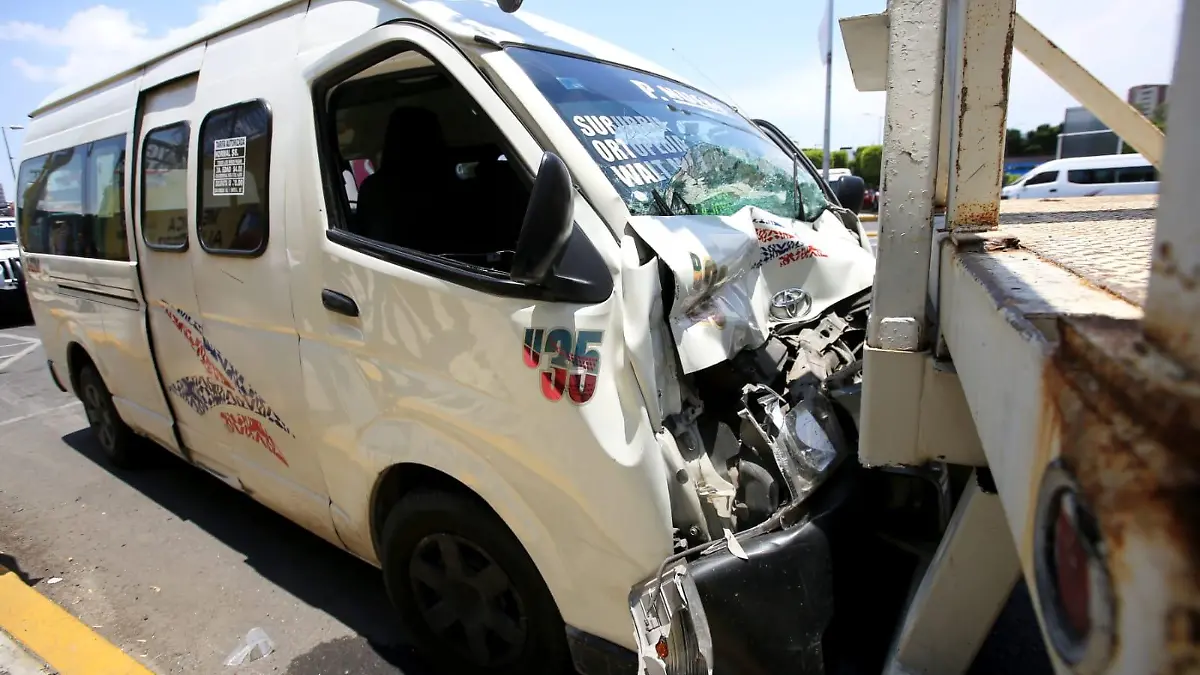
x: 236, y: 153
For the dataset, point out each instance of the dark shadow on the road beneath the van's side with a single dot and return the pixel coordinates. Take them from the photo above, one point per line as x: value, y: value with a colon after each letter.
x: 291, y: 558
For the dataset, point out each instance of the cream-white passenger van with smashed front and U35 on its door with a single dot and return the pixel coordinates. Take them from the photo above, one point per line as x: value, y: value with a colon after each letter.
x: 566, y: 347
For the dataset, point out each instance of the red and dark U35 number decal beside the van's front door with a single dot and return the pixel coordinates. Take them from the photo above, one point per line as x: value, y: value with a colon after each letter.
x: 573, y: 362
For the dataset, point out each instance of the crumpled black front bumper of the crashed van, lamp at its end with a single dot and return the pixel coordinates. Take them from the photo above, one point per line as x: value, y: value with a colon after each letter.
x: 821, y: 596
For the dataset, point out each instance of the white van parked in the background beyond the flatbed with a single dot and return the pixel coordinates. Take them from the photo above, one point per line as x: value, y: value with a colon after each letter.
x: 1087, y: 177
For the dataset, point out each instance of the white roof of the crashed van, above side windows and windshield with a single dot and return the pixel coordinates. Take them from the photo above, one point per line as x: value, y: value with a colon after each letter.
x: 461, y: 20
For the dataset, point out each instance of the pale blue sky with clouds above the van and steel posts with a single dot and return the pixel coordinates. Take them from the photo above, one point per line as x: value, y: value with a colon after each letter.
x: 763, y: 56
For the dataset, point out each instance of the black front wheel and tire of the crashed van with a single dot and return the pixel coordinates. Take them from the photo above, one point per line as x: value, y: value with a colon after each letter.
x: 497, y: 599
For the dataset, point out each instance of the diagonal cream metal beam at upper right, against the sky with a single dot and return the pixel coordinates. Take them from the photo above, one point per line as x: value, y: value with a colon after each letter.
x: 1123, y: 118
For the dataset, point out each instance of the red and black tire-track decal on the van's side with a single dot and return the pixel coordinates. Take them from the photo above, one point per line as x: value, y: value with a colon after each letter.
x: 223, y: 386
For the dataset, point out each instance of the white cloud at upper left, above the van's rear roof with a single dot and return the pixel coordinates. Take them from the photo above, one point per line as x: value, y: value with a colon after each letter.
x: 101, y: 40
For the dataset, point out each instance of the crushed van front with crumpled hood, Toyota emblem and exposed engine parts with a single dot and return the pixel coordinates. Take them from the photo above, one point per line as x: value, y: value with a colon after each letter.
x: 769, y: 320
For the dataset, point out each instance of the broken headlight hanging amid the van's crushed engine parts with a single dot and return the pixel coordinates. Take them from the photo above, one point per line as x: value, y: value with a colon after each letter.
x: 807, y: 441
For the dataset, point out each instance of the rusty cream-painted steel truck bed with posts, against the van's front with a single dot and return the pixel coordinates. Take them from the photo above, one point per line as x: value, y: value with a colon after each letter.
x: 1042, y: 347
